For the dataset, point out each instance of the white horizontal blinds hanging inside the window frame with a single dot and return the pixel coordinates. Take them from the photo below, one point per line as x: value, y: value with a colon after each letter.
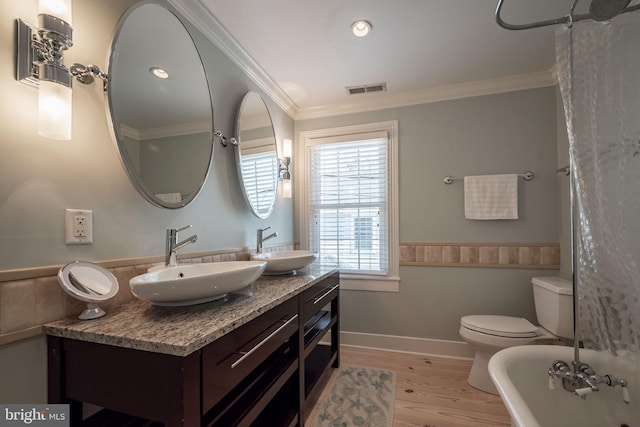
x: 348, y: 204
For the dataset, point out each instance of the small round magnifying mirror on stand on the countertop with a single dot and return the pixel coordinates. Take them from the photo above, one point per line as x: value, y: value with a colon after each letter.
x: 90, y: 283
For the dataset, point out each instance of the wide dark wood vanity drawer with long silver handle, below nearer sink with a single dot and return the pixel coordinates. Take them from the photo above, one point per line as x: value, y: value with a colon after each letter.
x: 230, y: 359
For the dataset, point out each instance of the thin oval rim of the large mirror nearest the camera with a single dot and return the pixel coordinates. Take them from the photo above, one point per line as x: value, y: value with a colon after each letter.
x: 117, y: 136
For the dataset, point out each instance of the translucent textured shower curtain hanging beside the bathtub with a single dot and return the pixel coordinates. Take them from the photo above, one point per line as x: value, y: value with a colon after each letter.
x: 599, y: 74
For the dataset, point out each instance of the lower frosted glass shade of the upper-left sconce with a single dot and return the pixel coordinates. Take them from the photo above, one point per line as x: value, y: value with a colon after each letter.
x: 54, y: 110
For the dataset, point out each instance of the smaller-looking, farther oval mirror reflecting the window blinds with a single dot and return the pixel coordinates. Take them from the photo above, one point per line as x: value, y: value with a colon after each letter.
x: 256, y: 155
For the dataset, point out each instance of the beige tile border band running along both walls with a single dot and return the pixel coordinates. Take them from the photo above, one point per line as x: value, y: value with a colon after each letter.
x: 30, y: 298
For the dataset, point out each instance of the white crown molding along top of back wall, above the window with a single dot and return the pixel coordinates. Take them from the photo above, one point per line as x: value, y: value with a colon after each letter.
x: 380, y: 101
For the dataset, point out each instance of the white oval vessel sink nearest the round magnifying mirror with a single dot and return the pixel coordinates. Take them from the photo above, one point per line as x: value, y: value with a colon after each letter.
x: 189, y: 284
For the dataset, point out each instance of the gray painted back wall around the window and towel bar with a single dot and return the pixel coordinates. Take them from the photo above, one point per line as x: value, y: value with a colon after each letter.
x: 503, y: 133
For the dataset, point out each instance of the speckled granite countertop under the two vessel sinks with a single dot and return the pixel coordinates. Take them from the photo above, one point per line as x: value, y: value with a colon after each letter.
x: 180, y: 331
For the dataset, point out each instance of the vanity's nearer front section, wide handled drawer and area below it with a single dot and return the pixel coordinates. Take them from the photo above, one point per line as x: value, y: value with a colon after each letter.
x: 244, y: 370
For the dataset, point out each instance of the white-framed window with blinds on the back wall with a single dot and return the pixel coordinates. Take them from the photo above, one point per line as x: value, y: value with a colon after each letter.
x: 350, y: 203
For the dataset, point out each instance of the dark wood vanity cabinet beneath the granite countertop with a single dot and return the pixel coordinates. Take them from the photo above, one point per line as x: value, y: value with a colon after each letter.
x: 259, y: 374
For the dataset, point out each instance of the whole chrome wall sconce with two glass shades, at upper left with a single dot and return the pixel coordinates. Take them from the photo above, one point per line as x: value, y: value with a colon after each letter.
x: 39, y: 63
